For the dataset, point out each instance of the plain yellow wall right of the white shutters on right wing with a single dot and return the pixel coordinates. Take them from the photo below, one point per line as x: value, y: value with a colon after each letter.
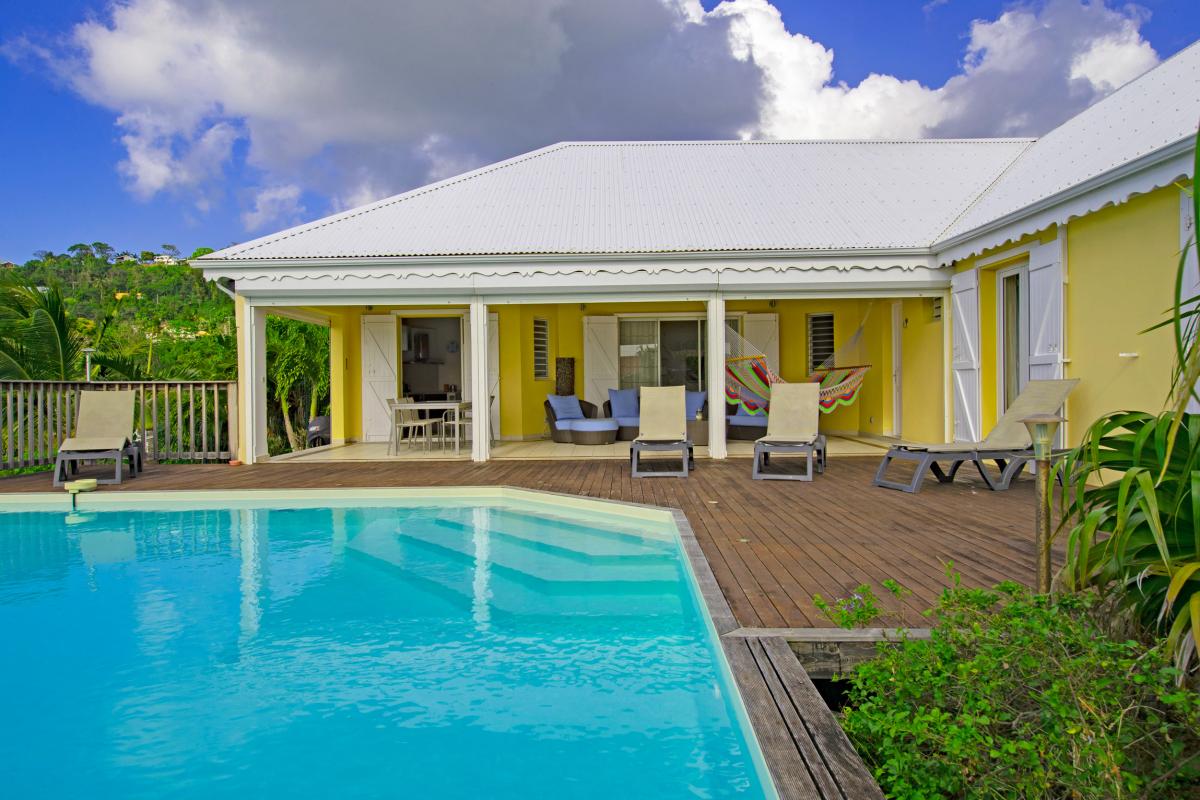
x: 1121, y: 266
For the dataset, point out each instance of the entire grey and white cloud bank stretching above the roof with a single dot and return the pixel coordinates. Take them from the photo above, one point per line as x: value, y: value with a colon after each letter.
x: 351, y: 103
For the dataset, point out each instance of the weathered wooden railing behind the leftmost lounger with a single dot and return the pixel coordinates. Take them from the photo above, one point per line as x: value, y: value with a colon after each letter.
x: 187, y: 422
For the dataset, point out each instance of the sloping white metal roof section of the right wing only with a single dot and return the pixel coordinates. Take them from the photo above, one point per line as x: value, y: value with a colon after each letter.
x: 1159, y: 110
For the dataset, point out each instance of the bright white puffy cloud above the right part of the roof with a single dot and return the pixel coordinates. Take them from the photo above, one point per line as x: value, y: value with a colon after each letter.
x: 1023, y: 74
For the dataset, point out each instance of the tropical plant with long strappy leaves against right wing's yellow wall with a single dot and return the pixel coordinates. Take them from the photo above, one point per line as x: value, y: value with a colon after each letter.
x: 1132, y: 513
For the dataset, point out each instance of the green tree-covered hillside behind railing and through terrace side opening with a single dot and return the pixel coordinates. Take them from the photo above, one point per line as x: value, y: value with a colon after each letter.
x: 149, y: 316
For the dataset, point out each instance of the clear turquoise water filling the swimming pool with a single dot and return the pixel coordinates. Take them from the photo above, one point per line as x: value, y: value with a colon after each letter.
x: 453, y: 651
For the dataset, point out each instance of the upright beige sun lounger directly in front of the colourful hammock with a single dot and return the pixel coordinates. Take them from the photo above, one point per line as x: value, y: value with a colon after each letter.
x: 791, y: 429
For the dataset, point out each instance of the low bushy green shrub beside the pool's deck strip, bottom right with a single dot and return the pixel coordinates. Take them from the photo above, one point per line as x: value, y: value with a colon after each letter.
x: 1021, y: 696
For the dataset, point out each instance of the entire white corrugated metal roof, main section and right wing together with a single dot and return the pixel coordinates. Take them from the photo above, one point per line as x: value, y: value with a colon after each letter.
x: 951, y: 196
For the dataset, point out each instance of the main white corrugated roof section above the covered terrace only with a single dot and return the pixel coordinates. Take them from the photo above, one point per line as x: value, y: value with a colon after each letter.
x: 661, y: 197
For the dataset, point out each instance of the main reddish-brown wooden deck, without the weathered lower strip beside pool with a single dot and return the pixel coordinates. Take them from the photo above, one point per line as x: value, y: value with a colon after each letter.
x: 772, y: 544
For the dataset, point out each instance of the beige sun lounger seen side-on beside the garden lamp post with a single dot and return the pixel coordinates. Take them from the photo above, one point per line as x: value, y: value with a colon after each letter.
x: 1009, y: 444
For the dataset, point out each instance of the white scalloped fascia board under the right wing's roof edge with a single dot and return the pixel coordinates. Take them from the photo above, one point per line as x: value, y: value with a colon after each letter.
x: 1155, y: 171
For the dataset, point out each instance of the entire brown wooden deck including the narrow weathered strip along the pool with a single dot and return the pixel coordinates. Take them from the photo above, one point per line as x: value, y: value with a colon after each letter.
x: 767, y: 546
